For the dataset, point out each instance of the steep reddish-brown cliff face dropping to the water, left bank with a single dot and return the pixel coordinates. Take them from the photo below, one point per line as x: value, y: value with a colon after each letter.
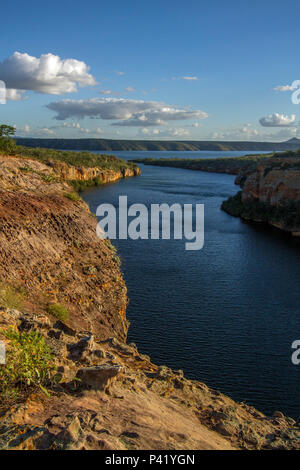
x: 50, y: 248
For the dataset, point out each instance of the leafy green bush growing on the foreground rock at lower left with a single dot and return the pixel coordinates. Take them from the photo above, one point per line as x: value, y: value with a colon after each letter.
x: 29, y: 364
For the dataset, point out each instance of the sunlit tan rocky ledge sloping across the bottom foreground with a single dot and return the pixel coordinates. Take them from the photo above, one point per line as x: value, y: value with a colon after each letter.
x: 113, y: 397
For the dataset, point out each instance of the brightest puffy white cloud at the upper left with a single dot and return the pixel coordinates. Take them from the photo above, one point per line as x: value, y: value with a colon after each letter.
x: 45, y: 74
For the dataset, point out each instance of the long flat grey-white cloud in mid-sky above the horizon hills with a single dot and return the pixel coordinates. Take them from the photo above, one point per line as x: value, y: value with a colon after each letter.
x: 125, y: 111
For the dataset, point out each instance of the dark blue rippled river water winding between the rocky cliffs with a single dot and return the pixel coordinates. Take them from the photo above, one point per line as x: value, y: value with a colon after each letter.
x: 227, y: 314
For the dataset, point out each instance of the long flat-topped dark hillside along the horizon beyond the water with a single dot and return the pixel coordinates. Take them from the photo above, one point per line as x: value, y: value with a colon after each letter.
x: 156, y: 145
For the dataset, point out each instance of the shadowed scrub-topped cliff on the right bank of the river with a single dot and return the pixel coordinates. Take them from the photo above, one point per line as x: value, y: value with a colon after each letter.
x: 270, y: 194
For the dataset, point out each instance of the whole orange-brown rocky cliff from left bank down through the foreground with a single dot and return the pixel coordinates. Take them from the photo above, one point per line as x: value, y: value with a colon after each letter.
x: 104, y: 394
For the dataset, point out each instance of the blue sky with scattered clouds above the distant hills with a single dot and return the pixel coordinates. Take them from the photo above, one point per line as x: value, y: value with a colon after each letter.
x: 159, y: 70
